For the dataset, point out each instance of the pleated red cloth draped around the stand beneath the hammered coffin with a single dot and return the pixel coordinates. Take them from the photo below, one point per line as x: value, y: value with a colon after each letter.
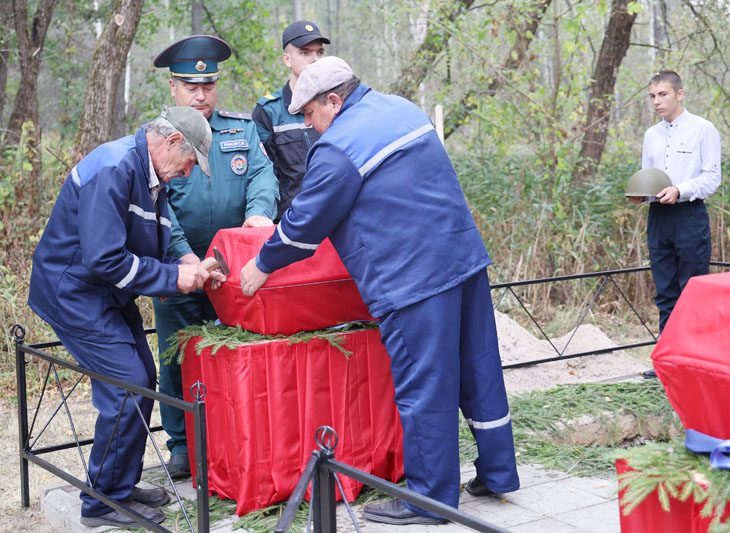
x: 264, y: 402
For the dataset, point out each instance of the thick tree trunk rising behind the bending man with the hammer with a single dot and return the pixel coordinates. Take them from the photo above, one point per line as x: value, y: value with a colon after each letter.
x: 107, y: 68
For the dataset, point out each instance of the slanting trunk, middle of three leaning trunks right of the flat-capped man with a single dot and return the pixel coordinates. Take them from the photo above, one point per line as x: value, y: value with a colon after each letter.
x: 525, y: 30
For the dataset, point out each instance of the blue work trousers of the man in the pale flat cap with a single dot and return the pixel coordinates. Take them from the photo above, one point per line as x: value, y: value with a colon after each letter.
x: 444, y: 355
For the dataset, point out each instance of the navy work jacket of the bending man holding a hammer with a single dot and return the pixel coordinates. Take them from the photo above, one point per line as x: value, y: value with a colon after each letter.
x: 104, y: 244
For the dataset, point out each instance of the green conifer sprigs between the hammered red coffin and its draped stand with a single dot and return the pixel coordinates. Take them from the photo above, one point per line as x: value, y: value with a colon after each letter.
x: 219, y: 336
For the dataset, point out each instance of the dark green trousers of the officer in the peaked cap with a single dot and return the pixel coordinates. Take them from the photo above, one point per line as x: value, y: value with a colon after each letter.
x: 171, y: 315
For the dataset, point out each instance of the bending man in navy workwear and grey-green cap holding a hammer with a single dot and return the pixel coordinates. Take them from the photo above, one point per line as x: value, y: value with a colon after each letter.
x: 104, y: 245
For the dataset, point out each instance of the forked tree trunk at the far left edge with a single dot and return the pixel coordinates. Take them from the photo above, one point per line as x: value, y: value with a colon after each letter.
x: 30, y: 39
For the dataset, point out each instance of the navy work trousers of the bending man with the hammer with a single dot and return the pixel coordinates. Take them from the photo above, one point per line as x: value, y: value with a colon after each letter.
x: 132, y: 363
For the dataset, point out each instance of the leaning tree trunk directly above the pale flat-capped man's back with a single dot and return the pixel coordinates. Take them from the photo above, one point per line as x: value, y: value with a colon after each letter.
x: 423, y: 59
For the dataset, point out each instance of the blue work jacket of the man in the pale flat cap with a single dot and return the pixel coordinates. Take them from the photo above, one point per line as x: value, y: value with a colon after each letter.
x: 380, y: 184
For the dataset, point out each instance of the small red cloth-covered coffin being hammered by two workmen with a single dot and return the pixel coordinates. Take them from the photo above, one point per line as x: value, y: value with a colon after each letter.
x: 311, y: 294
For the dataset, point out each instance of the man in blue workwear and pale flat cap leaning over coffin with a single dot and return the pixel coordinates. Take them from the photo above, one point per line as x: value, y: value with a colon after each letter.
x: 380, y: 185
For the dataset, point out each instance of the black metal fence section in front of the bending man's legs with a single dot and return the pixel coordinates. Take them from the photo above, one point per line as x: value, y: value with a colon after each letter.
x: 29, y: 452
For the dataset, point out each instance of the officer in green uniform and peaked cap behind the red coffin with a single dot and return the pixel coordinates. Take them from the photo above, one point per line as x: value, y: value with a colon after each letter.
x: 242, y: 190
